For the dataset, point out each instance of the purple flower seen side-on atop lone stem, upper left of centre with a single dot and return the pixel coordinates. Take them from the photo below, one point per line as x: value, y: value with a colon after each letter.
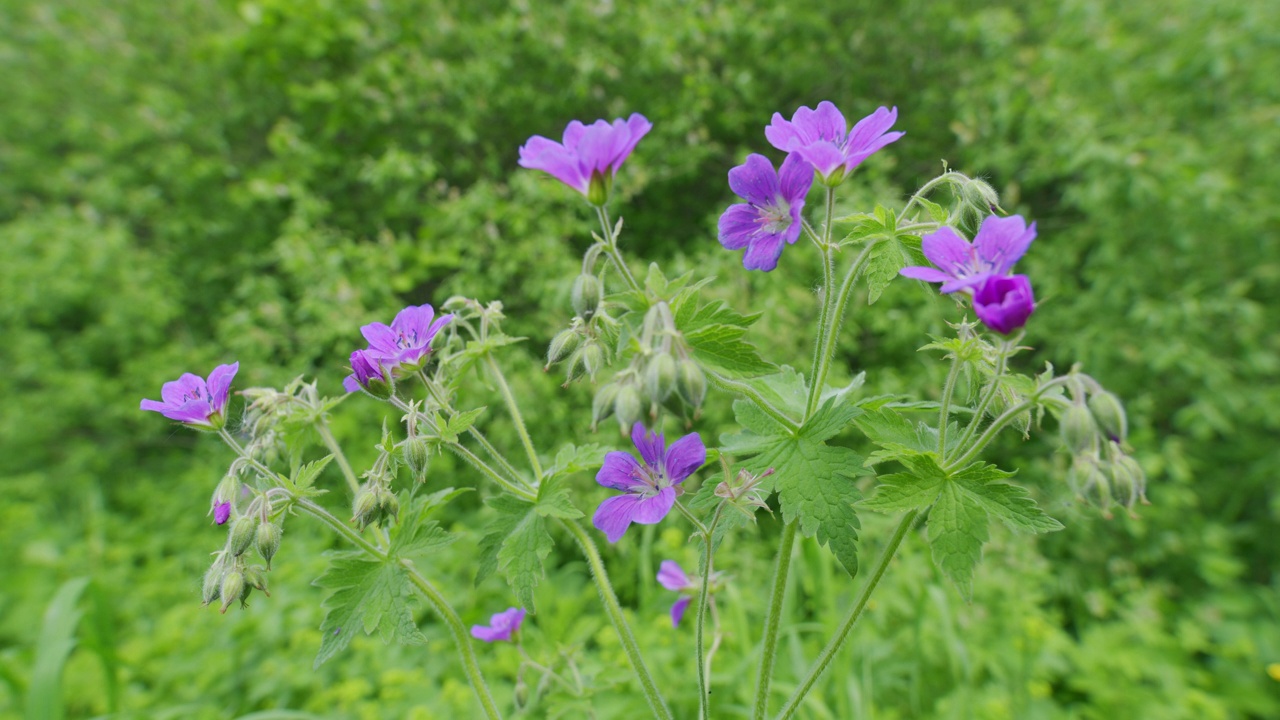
x: 589, y: 157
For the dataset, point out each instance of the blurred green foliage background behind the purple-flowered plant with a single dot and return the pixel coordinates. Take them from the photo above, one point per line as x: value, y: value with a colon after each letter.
x: 191, y: 184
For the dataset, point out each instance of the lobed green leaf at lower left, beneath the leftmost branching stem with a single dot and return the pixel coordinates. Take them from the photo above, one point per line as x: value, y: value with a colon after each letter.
x: 367, y: 595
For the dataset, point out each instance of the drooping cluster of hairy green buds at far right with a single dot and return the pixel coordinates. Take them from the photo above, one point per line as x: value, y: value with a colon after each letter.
x: 1094, y: 430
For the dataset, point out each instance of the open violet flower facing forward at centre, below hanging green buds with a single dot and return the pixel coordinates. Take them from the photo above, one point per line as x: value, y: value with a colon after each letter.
x: 650, y: 493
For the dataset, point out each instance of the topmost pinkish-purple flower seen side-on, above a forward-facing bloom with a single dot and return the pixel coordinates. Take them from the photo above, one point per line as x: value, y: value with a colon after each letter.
x: 820, y: 136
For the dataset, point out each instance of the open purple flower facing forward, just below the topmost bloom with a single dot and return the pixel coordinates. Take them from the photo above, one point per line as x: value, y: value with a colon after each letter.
x: 771, y: 215
